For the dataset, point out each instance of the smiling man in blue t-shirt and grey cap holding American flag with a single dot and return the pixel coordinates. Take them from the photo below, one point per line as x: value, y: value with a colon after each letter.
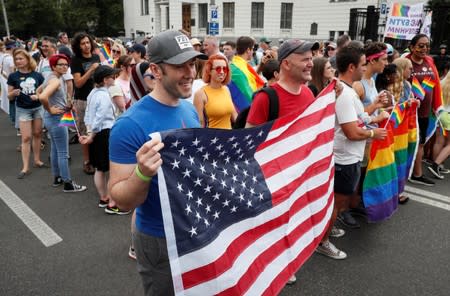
x: 134, y: 157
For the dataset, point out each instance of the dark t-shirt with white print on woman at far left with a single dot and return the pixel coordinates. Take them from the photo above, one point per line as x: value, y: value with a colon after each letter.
x: 28, y: 84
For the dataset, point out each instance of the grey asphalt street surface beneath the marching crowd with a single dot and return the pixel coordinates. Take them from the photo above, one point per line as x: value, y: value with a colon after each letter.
x: 87, y: 249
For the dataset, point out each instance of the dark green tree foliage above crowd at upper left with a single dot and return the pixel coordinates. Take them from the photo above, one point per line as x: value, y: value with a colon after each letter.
x: 48, y: 17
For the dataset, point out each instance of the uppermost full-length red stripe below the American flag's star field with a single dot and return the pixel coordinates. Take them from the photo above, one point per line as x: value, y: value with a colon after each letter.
x: 225, y: 261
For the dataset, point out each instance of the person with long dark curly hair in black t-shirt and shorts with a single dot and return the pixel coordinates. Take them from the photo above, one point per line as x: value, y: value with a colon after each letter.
x: 83, y: 66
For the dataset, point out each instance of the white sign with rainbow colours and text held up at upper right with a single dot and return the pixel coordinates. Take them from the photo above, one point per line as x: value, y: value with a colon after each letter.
x: 404, y: 21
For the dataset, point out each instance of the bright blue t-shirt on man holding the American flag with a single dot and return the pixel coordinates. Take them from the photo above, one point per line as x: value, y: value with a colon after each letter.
x: 131, y: 131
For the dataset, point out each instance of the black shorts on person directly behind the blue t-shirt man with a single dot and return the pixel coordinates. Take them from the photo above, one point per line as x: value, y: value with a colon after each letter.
x: 99, y: 151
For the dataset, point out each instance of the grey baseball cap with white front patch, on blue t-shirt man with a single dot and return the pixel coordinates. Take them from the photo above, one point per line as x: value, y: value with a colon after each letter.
x: 172, y: 47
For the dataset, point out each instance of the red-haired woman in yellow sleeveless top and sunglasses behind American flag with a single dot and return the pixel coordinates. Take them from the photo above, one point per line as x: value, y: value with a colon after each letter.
x: 213, y: 101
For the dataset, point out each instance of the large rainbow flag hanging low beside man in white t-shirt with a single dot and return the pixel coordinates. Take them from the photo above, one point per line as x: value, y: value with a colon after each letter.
x: 390, y: 165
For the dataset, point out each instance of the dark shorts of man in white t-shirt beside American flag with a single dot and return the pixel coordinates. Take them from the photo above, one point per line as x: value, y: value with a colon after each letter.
x: 346, y: 178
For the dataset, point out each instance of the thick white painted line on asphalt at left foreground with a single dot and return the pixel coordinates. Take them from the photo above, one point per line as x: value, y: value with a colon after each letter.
x: 39, y: 228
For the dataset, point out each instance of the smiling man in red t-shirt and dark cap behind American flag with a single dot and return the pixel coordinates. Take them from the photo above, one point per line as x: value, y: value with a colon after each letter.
x: 295, y: 57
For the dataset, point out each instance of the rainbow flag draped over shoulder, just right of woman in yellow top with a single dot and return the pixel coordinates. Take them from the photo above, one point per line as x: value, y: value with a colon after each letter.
x: 244, y: 82
